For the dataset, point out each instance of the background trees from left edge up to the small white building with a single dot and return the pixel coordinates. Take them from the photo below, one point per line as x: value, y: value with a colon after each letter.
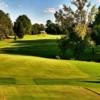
x: 19, y: 28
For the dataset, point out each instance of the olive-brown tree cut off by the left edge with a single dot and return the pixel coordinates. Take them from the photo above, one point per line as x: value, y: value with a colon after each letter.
x: 6, y: 27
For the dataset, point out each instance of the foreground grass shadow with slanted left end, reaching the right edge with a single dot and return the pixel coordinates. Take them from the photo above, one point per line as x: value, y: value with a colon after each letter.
x: 64, y: 81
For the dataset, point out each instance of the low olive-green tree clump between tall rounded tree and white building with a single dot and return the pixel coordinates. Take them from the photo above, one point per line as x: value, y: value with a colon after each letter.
x: 37, y: 28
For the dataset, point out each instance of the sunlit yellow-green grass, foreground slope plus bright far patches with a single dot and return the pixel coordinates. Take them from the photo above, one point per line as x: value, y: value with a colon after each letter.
x: 35, y: 78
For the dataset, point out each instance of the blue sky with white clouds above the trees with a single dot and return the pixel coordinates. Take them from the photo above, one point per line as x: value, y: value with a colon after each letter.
x: 39, y: 11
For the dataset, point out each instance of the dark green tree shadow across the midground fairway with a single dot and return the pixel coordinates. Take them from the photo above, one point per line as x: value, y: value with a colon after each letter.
x: 42, y: 48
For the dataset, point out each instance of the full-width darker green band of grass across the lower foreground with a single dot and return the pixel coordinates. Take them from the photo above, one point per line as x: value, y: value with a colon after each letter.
x: 29, y: 81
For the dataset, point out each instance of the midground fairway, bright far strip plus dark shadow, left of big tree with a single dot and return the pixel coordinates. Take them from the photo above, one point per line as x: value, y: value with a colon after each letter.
x: 37, y: 45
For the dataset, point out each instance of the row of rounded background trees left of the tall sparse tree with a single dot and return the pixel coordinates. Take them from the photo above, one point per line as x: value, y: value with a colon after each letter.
x: 23, y: 26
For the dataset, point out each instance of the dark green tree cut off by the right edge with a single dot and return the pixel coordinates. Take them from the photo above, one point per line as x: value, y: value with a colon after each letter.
x: 96, y: 28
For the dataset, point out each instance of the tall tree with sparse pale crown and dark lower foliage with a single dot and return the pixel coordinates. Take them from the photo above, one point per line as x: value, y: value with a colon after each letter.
x: 82, y: 26
